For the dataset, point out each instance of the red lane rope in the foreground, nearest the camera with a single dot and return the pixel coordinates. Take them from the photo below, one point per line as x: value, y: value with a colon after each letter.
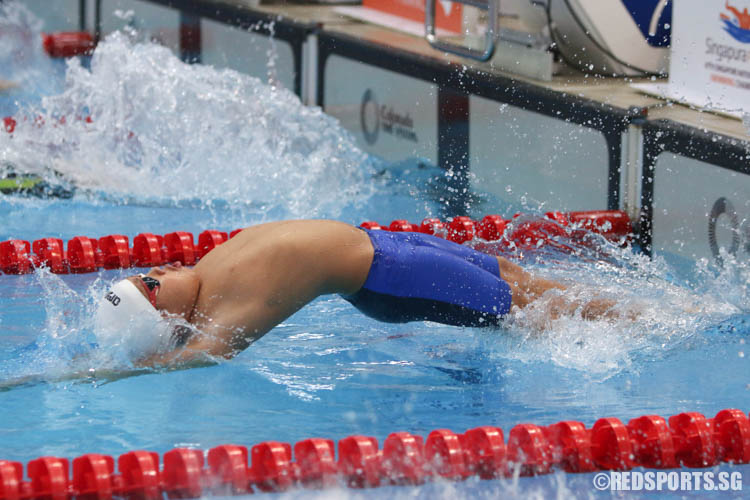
x: 684, y: 440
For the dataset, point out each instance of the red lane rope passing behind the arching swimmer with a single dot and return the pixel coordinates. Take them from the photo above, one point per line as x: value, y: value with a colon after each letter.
x: 492, y: 234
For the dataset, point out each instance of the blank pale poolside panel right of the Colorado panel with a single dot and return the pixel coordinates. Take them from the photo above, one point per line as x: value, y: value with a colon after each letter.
x: 522, y: 155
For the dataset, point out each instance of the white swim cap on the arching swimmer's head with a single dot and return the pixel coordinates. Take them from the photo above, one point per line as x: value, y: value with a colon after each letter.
x: 126, y: 319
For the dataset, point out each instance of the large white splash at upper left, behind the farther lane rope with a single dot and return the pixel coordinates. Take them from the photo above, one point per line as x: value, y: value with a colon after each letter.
x: 141, y: 123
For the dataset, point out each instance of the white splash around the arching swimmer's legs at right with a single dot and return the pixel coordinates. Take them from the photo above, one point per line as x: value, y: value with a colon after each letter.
x: 651, y: 312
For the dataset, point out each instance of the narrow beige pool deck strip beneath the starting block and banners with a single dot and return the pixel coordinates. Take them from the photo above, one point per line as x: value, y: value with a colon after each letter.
x: 615, y: 92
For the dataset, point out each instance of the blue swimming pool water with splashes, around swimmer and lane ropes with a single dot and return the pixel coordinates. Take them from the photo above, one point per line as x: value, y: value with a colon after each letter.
x: 176, y: 147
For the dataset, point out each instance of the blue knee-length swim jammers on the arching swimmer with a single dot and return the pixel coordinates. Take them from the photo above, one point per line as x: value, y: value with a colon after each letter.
x: 418, y: 277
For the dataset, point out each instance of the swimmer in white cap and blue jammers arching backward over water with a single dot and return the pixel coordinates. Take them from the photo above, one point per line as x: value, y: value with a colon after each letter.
x: 243, y: 288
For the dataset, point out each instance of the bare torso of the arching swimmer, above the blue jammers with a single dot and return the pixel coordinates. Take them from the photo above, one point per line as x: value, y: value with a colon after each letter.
x: 266, y: 272
